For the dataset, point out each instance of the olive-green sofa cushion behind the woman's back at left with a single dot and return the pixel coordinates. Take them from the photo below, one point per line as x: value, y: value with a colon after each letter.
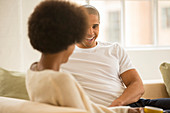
x: 12, y: 84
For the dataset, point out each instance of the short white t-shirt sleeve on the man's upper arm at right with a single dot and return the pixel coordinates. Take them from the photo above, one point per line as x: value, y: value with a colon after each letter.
x: 125, y: 63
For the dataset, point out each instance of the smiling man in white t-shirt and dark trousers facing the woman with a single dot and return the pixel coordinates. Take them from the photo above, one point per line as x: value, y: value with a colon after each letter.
x: 105, y: 71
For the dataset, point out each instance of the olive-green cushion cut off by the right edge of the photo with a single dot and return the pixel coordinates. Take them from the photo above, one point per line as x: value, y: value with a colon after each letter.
x: 165, y: 71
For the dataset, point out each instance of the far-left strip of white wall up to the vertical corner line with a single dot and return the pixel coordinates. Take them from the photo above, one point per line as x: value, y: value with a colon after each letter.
x: 10, y: 34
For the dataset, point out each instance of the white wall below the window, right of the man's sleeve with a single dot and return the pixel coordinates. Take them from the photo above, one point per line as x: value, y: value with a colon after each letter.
x: 147, y: 62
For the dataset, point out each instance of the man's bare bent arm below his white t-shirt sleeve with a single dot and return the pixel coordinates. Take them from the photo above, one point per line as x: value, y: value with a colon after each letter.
x: 134, y: 89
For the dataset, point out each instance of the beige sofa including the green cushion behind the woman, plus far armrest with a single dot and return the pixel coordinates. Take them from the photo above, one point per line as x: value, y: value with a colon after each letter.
x: 17, y: 101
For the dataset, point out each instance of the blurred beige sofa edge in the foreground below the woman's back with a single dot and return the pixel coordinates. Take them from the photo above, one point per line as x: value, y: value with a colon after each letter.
x: 11, y: 105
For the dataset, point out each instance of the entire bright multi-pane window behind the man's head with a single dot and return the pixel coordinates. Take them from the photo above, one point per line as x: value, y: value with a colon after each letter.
x: 134, y: 23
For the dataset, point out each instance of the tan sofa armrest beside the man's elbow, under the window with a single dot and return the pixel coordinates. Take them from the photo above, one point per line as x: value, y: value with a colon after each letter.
x: 155, y: 89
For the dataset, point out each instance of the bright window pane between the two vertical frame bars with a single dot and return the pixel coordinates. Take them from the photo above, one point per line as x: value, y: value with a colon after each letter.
x: 138, y: 23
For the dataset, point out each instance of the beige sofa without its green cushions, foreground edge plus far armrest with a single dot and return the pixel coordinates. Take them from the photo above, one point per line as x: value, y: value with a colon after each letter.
x: 13, y: 105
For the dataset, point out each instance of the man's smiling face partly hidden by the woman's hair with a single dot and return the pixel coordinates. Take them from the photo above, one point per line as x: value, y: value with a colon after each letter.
x: 92, y: 34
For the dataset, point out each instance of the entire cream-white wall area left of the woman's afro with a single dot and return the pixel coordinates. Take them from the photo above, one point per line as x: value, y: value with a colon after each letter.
x: 15, y: 51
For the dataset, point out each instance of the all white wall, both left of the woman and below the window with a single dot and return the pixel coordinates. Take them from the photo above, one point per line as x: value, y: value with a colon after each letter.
x: 17, y: 54
